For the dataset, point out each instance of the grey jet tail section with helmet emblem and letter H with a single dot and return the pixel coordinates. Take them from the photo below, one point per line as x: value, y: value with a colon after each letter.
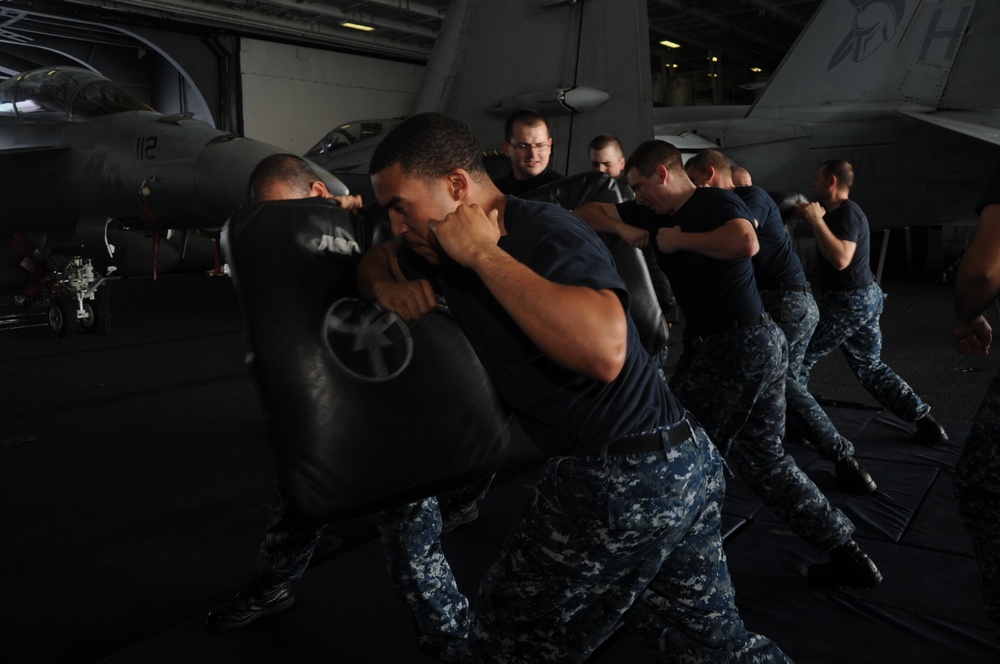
x: 900, y: 88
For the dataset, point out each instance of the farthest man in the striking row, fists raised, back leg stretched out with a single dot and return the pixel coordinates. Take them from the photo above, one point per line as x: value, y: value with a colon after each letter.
x: 852, y: 301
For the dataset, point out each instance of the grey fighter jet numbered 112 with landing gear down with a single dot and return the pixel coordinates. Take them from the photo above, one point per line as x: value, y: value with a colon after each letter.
x: 94, y: 179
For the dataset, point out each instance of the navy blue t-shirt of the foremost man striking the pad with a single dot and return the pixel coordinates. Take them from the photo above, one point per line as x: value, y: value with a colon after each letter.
x: 563, y: 412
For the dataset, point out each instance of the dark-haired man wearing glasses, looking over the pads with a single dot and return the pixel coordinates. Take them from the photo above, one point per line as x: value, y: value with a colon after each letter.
x: 528, y: 145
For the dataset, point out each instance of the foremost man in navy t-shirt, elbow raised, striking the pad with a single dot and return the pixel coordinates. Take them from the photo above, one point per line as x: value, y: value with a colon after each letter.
x: 624, y: 521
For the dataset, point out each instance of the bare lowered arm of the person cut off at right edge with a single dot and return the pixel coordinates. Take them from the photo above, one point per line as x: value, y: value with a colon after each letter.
x: 977, y: 284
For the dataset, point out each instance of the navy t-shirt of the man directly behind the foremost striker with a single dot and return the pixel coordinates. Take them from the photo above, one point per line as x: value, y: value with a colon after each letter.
x: 711, y: 292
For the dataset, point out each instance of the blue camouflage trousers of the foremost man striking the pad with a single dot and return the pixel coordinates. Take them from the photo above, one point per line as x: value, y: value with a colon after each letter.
x: 594, y: 536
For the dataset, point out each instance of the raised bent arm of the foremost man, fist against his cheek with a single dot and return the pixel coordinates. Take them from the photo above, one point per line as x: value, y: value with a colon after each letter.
x: 582, y: 329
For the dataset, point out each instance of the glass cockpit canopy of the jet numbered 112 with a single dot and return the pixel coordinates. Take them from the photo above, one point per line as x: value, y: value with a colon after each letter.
x: 64, y: 92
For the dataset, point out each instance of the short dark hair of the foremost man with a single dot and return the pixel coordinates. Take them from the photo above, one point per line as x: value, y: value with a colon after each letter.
x: 428, y: 146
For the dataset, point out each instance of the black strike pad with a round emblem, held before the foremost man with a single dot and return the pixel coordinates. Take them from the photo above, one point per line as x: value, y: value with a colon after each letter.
x: 365, y: 410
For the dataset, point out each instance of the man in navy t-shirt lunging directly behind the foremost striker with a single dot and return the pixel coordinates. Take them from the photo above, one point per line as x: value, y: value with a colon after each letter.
x: 731, y: 374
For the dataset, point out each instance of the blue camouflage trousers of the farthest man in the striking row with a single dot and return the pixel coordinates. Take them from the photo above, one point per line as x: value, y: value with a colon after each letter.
x: 850, y: 320
